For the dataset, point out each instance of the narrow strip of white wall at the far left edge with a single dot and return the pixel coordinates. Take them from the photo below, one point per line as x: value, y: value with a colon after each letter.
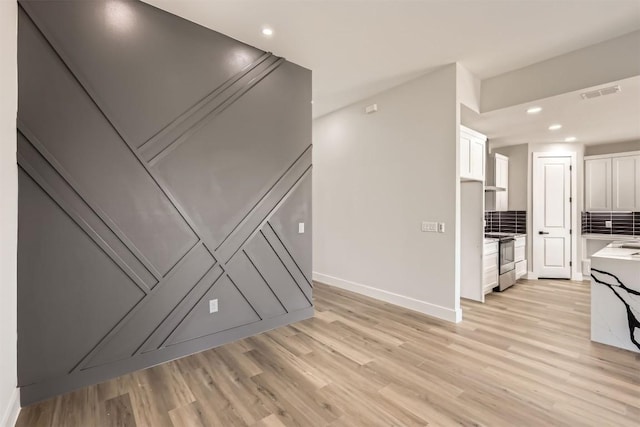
x: 8, y: 212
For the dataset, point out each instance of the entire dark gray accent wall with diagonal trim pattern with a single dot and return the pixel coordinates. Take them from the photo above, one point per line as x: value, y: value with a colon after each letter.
x: 161, y: 165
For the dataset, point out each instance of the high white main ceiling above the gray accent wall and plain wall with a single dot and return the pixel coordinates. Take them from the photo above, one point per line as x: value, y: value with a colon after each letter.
x: 357, y: 48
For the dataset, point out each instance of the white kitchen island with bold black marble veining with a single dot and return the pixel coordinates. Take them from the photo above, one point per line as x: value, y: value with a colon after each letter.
x: 615, y: 295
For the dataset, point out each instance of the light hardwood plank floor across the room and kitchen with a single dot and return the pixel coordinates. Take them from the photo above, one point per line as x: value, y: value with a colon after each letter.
x: 522, y: 359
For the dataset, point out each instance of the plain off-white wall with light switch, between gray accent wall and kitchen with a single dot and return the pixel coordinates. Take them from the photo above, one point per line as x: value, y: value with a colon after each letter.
x: 376, y: 178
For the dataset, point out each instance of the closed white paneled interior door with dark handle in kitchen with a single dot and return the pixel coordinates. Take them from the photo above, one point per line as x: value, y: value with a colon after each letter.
x: 552, y: 217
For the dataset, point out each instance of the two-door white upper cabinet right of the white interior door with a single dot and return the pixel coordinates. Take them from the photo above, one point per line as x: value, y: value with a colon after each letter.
x: 612, y: 182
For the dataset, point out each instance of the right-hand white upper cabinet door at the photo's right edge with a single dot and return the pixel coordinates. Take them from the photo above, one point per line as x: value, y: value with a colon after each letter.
x: 626, y: 183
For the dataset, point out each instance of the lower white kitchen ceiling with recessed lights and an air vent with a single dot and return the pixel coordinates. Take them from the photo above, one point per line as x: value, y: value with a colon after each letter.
x: 606, y: 119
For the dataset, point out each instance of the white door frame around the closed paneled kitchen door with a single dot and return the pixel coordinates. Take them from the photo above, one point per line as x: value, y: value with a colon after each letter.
x: 576, y: 273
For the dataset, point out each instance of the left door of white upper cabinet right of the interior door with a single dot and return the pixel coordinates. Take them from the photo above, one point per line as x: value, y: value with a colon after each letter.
x: 597, y: 184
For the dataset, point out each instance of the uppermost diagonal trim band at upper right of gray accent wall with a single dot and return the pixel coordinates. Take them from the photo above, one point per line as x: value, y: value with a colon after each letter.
x: 152, y: 156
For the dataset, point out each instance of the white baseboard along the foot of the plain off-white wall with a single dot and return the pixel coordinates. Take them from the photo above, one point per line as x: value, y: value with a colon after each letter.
x: 423, y: 307
